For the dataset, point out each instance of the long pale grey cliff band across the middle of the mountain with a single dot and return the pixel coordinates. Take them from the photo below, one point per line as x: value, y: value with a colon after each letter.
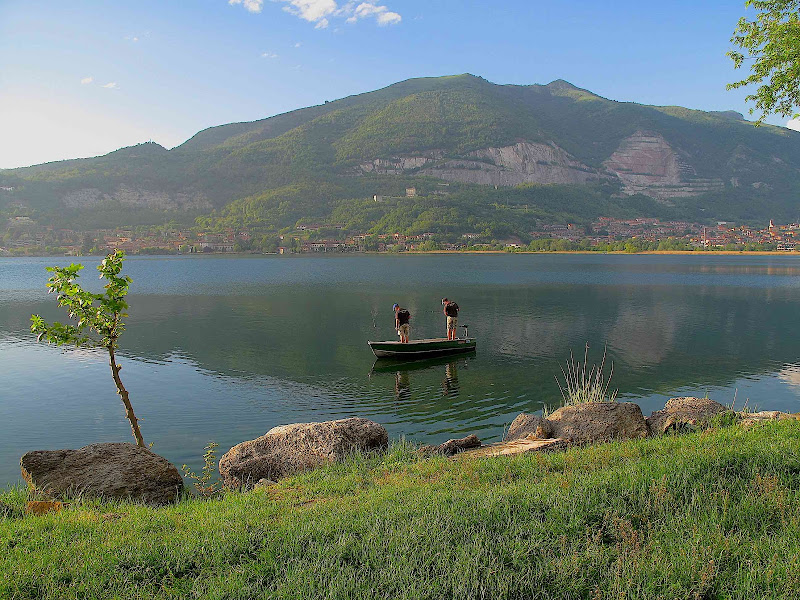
x: 523, y: 162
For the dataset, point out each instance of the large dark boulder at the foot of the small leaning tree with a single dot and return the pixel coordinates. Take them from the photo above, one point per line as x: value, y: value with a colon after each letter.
x: 112, y: 471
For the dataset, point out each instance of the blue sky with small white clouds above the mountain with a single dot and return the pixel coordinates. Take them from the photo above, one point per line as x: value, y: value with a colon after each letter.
x: 85, y: 77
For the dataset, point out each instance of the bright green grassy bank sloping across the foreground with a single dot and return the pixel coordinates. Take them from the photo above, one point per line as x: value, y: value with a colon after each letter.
x: 704, y: 515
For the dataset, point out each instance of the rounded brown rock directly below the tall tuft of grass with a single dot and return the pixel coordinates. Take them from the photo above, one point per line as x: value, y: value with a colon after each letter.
x: 598, y: 421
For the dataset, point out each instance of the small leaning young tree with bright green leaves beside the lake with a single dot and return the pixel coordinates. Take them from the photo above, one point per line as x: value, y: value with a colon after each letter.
x: 99, y: 318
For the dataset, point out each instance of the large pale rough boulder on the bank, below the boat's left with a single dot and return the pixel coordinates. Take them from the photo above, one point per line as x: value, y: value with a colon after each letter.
x: 289, y: 449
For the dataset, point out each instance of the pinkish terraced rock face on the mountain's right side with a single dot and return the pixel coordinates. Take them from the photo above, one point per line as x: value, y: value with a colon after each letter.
x: 646, y: 164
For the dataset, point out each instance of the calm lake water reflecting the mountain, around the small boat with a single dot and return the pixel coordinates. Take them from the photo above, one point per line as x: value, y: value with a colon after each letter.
x: 223, y: 349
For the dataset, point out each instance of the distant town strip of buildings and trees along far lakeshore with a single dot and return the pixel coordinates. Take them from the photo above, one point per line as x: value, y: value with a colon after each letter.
x: 23, y: 236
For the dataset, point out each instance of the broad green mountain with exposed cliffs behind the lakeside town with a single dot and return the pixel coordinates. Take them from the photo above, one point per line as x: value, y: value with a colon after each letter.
x: 468, y: 145
